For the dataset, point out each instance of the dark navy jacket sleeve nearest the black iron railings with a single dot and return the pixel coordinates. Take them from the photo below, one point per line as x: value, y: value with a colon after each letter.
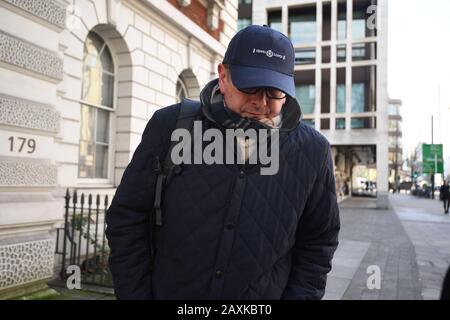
x: 128, y: 228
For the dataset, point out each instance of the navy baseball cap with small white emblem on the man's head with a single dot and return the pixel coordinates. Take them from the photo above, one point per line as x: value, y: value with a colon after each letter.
x: 260, y: 56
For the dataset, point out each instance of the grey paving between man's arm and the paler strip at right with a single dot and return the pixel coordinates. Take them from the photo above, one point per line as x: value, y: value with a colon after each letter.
x: 372, y: 237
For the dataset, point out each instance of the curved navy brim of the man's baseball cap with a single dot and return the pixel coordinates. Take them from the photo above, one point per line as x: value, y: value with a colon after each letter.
x: 250, y: 77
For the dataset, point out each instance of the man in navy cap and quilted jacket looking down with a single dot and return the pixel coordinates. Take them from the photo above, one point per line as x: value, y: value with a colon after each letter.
x: 227, y: 231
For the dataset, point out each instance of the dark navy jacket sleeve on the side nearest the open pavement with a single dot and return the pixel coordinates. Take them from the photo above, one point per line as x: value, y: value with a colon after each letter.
x: 316, y: 238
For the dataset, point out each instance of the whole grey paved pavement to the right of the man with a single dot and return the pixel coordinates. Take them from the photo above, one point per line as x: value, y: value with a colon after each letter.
x: 410, y: 243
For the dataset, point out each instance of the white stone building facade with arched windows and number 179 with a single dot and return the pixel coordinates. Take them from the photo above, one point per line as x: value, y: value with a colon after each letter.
x: 79, y: 79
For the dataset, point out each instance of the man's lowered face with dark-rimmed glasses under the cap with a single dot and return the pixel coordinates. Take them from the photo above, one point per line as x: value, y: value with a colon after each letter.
x: 255, y: 106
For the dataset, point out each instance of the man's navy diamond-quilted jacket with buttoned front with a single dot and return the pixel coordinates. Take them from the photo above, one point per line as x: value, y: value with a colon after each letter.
x: 228, y: 232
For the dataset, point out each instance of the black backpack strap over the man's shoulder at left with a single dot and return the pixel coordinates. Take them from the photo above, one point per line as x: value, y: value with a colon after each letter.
x: 189, y: 112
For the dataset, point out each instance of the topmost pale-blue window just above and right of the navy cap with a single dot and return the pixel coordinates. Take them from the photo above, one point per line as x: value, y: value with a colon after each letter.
x: 302, y: 25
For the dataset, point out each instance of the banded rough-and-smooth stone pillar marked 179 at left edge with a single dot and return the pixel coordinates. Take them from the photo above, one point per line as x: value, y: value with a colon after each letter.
x: 31, y: 67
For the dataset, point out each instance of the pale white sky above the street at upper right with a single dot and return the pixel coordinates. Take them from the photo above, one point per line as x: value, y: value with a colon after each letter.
x: 419, y: 68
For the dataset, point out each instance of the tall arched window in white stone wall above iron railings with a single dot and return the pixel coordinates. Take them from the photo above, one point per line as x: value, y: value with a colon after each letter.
x: 96, y: 107
